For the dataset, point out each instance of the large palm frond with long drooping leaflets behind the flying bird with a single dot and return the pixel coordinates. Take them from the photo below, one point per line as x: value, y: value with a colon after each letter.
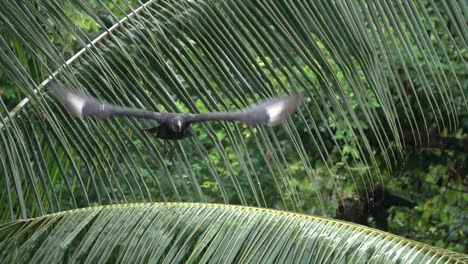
x: 352, y: 59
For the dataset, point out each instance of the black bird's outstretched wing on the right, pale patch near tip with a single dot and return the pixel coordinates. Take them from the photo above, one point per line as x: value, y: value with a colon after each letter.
x: 270, y: 112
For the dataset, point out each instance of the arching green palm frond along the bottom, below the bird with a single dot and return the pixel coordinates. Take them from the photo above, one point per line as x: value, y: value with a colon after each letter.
x: 201, y: 233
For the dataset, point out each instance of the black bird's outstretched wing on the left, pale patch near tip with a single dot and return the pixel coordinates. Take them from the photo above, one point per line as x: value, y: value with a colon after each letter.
x: 81, y: 104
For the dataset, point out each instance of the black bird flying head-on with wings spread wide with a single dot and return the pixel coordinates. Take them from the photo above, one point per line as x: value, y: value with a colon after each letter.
x: 174, y: 126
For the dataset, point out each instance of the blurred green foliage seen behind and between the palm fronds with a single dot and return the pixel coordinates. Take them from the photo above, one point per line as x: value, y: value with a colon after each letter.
x: 434, y: 178
